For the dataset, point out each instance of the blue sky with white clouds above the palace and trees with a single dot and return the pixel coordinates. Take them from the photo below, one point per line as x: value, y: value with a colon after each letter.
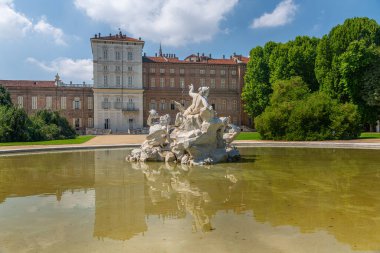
x: 39, y: 38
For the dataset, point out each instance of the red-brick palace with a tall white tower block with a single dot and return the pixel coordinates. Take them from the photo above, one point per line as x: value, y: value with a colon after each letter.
x: 128, y: 83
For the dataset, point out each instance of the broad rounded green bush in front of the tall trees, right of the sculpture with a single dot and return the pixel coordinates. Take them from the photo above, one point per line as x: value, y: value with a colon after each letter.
x: 296, y: 114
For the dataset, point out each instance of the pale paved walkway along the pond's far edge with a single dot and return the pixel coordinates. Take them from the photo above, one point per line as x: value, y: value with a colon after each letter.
x: 120, y: 141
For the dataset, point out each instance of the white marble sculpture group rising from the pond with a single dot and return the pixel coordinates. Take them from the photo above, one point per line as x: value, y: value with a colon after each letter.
x: 198, y: 136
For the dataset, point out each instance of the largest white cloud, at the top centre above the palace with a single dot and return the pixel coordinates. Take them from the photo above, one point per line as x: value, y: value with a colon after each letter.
x: 172, y: 22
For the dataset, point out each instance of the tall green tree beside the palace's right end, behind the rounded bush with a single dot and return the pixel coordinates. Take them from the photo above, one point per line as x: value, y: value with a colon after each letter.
x: 277, y: 61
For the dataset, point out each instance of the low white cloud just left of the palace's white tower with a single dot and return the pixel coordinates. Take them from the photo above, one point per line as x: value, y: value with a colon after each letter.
x: 69, y: 69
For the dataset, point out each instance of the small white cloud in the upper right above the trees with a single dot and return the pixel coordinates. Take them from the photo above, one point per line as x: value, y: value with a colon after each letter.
x: 283, y: 14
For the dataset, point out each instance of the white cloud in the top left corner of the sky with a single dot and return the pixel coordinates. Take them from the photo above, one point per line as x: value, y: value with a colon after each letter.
x: 14, y: 24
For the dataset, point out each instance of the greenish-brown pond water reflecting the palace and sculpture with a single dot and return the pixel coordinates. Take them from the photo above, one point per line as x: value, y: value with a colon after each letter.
x: 274, y: 200
